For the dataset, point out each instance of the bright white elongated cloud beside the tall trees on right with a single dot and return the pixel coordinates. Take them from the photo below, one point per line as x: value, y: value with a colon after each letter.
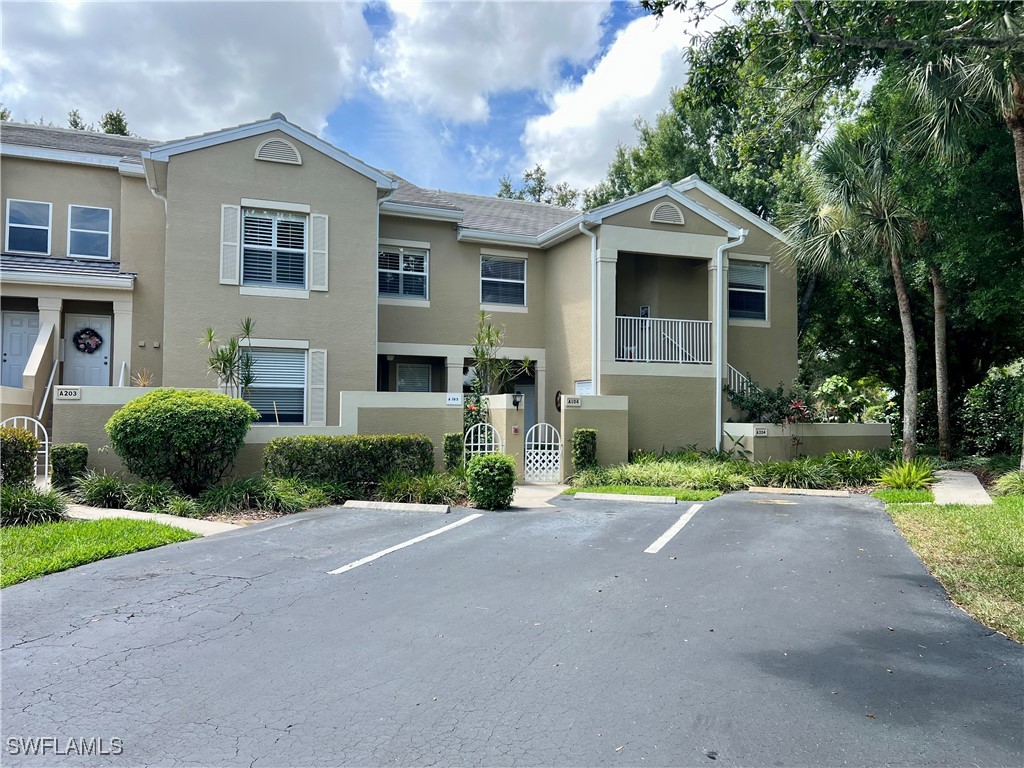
x: 576, y: 141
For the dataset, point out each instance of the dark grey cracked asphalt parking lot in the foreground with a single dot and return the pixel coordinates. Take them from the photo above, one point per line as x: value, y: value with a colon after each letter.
x: 769, y: 631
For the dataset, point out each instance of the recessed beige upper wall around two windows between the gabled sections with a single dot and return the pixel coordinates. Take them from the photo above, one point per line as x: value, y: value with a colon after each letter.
x: 454, y: 290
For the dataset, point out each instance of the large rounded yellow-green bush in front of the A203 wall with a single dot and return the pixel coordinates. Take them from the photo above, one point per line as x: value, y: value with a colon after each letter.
x: 189, y: 438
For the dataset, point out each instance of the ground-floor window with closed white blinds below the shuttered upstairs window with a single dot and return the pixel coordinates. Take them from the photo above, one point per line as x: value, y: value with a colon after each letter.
x: 279, y: 392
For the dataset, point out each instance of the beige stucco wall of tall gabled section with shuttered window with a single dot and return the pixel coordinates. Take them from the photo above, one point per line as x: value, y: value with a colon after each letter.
x: 342, y: 320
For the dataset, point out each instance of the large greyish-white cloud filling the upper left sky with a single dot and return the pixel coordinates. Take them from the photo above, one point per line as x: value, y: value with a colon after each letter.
x: 180, y: 69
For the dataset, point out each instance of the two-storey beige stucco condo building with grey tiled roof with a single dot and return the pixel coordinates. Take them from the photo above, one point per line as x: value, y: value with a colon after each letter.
x: 119, y: 253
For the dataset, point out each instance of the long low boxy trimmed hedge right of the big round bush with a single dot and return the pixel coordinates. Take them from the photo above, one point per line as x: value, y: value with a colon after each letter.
x: 354, y: 460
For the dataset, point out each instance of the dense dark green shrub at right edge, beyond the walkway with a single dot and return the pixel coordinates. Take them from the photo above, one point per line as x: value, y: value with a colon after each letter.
x: 994, y: 413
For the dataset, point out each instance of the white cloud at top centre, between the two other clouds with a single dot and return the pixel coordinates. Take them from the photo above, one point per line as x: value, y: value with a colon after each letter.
x: 448, y: 59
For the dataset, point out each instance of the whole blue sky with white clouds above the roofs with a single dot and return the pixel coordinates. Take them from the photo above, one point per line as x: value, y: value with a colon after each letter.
x: 449, y: 95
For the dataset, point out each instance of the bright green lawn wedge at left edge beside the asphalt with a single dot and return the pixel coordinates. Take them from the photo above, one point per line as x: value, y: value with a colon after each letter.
x: 31, y: 551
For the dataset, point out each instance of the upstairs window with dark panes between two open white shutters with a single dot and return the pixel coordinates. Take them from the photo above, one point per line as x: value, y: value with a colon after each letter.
x: 274, y: 249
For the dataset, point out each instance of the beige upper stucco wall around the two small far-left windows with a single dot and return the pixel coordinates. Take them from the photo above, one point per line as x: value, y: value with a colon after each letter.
x: 63, y: 185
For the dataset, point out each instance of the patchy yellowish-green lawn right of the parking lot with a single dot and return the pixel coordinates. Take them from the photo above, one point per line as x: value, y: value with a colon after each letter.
x: 977, y: 553
